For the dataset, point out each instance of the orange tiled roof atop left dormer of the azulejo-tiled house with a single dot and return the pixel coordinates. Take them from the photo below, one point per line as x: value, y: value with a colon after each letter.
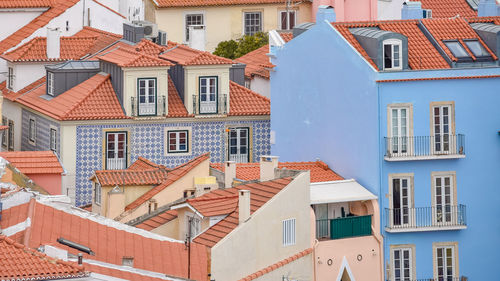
x: 128, y: 58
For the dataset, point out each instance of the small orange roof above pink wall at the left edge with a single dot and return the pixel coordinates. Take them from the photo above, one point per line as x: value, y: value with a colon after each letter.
x: 34, y: 162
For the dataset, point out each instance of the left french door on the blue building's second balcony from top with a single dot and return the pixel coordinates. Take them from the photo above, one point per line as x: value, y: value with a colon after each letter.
x: 401, y: 198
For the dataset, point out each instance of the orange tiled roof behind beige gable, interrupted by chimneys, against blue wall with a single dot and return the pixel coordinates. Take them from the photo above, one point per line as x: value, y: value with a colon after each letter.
x: 320, y: 172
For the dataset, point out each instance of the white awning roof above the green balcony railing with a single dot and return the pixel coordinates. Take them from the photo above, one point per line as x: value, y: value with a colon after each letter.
x: 339, y: 191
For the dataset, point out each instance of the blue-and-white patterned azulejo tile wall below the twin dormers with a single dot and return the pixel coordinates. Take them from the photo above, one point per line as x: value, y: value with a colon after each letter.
x: 147, y: 140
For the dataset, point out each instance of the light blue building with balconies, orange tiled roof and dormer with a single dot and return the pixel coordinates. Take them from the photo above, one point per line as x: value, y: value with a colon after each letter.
x: 424, y: 139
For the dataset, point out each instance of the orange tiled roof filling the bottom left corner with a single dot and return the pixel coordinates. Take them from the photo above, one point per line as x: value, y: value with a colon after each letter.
x: 18, y: 262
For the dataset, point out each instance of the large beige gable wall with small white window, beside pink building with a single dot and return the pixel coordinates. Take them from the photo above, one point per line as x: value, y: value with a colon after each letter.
x: 258, y: 243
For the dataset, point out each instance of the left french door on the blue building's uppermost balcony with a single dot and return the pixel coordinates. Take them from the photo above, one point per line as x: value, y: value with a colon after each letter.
x: 399, y: 131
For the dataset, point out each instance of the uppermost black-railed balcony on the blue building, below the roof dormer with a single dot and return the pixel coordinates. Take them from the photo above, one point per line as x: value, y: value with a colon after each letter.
x: 444, y: 146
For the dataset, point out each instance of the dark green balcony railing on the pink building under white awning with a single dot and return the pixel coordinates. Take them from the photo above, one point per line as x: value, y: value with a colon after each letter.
x: 344, y: 227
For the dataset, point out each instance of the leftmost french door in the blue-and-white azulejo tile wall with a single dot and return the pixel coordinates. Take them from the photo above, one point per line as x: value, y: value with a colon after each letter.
x: 116, y: 150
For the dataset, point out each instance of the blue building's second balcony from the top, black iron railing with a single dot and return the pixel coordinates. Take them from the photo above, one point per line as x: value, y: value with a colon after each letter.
x: 445, y: 217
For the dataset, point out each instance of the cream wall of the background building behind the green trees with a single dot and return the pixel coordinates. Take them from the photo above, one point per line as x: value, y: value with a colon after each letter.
x: 222, y: 22
